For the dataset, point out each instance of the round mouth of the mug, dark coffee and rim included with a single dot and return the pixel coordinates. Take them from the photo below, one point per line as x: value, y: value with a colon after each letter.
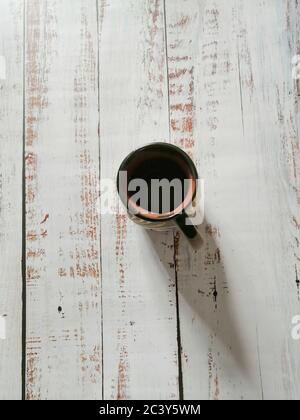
x: 153, y: 163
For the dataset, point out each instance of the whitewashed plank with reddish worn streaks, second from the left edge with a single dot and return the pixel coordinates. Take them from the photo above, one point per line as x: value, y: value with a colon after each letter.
x: 64, y: 351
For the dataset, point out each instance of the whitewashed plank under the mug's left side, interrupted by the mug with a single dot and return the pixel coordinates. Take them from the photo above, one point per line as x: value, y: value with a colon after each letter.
x: 139, y: 302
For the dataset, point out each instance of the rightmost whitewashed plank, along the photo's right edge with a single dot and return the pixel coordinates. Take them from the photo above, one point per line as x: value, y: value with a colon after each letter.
x: 270, y: 100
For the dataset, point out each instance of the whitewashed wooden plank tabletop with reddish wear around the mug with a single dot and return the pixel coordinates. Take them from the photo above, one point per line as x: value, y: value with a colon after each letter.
x: 94, y: 307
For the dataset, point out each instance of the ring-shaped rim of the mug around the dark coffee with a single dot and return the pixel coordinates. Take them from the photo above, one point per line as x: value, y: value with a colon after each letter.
x: 144, y: 214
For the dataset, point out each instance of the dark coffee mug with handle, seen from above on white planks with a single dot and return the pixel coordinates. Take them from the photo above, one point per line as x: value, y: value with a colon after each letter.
x: 158, y: 184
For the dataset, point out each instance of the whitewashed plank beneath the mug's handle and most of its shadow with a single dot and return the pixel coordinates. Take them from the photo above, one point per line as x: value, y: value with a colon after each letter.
x: 219, y: 346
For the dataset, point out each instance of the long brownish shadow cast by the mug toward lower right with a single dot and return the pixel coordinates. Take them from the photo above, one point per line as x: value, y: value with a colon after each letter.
x: 203, y: 285
